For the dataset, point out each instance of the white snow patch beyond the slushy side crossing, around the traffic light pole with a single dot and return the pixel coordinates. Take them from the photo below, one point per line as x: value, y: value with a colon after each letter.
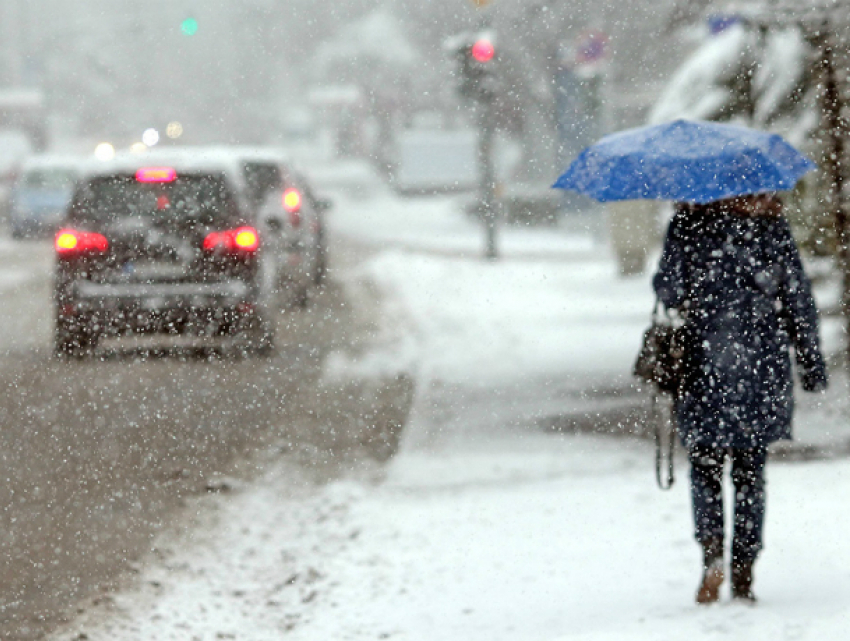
x: 552, y: 305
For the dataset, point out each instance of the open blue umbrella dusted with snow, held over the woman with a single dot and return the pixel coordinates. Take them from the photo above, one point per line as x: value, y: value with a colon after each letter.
x: 696, y: 162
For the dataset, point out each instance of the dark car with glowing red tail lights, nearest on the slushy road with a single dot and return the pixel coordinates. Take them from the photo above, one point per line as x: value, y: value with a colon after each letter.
x: 159, y: 249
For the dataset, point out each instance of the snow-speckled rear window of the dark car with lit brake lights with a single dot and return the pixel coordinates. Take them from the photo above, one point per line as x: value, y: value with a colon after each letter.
x: 203, y: 199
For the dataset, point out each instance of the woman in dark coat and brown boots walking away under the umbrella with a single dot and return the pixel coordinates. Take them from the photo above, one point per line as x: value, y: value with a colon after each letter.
x: 732, y: 269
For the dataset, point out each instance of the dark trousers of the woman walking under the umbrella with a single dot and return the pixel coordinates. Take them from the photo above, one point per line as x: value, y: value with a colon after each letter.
x: 706, y: 488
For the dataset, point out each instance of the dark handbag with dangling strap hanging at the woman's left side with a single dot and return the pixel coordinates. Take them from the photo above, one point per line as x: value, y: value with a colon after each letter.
x: 661, y: 363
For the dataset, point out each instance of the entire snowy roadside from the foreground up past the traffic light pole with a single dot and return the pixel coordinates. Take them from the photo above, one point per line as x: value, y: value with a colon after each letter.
x: 485, y: 526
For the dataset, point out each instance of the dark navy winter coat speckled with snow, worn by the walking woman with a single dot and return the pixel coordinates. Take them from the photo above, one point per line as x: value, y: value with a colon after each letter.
x: 747, y: 302
